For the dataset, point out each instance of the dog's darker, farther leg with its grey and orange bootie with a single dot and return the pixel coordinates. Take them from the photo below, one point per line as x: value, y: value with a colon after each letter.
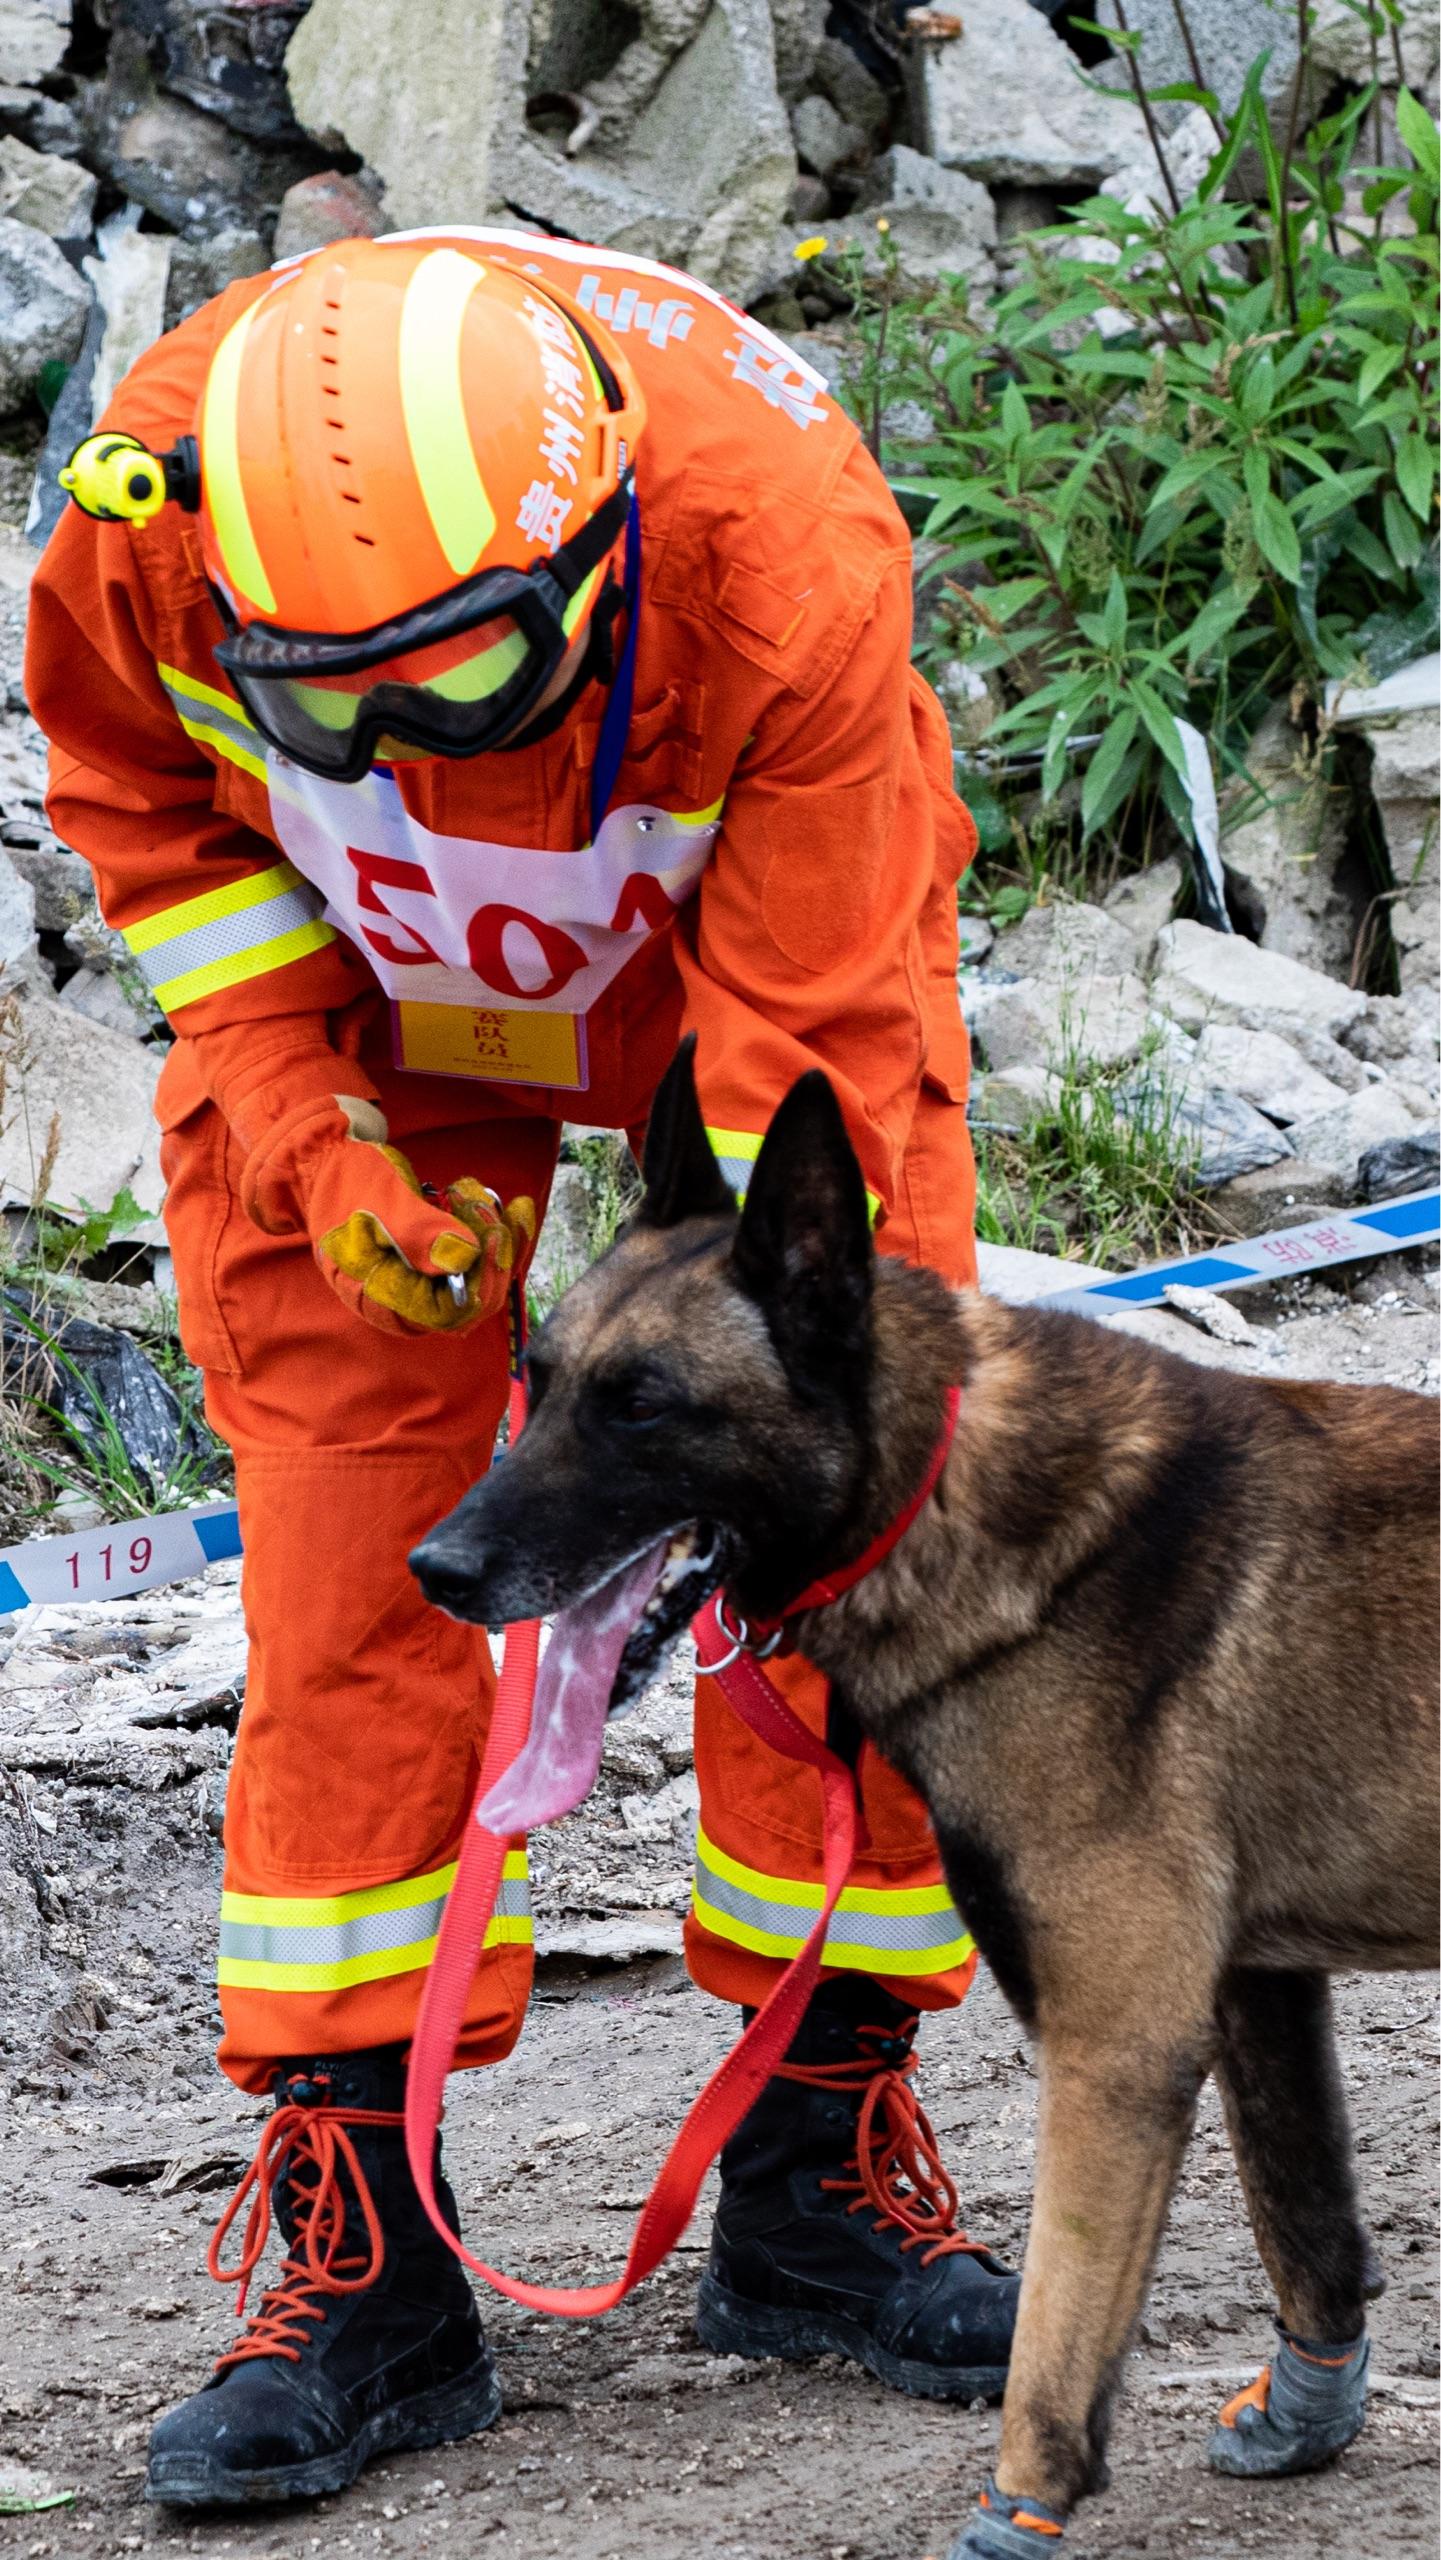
x: 1286, y: 2116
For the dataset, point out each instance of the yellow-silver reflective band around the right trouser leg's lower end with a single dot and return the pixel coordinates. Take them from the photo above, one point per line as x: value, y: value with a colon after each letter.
x: 912, y: 1929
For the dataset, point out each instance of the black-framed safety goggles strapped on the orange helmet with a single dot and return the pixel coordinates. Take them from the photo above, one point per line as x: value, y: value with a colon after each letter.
x: 452, y: 677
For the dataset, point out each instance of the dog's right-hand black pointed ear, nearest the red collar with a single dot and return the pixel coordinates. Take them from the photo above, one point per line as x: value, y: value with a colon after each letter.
x: 805, y: 1238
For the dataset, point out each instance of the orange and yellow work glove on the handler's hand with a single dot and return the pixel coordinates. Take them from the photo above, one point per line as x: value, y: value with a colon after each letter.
x: 393, y: 1256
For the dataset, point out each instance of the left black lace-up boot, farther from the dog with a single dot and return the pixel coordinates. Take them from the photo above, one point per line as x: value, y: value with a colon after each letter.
x: 370, y: 2339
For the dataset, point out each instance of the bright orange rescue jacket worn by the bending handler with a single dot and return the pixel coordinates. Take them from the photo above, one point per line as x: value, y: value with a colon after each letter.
x: 774, y: 692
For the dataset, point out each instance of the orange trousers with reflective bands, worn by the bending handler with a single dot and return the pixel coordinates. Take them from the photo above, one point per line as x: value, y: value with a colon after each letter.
x: 367, y: 1709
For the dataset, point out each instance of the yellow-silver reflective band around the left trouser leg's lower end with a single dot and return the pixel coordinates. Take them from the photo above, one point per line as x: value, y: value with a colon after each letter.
x: 326, y: 1944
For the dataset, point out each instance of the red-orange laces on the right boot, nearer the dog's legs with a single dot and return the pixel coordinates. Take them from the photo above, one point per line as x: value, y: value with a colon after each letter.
x: 897, y: 2164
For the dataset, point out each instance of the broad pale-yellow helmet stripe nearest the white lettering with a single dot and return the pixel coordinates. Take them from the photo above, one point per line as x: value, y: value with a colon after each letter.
x: 434, y: 406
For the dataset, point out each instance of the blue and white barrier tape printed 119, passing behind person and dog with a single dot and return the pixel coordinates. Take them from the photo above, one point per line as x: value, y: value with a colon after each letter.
x: 137, y: 1555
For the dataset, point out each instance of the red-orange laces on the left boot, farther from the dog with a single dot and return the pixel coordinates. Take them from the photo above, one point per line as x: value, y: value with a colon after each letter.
x: 314, y: 2147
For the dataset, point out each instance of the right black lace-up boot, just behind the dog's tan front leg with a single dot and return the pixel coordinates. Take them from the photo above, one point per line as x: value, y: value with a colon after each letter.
x: 836, y: 2228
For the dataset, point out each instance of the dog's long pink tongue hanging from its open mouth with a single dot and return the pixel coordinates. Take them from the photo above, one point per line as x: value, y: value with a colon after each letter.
x: 572, y: 1696
